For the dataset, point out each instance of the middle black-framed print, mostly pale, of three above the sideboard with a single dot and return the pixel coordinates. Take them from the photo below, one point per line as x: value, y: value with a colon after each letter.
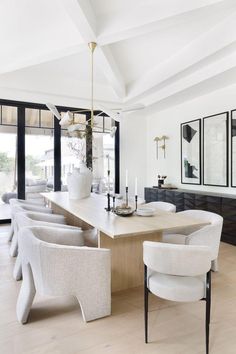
x: 215, y: 150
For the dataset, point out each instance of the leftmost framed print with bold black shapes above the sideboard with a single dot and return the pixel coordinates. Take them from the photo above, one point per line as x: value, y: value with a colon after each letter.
x: 191, y: 152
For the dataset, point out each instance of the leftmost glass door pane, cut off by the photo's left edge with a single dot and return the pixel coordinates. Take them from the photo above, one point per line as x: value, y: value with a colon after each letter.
x: 8, y: 183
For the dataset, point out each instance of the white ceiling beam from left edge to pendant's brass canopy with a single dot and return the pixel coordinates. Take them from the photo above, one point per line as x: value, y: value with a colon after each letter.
x: 25, y: 61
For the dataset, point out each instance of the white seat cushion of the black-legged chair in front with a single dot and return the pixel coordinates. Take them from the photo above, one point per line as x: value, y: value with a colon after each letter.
x: 177, y: 288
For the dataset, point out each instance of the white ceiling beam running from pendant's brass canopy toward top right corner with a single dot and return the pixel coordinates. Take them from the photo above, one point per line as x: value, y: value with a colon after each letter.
x: 129, y: 25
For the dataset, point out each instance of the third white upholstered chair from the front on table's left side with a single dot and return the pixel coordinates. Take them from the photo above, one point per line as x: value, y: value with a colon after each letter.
x: 20, y: 203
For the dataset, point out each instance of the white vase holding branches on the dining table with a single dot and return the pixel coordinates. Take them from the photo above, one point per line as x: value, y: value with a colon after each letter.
x: 79, y: 183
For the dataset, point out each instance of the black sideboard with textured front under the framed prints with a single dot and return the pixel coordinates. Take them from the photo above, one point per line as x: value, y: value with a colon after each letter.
x: 222, y: 204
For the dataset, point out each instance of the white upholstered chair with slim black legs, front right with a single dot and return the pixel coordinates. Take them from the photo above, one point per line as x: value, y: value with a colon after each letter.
x: 177, y: 273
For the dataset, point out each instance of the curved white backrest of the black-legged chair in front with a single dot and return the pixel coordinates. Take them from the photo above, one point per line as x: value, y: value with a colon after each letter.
x: 182, y: 260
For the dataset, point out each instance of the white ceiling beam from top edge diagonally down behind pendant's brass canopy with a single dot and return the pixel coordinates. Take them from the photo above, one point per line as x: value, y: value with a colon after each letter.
x: 83, y: 17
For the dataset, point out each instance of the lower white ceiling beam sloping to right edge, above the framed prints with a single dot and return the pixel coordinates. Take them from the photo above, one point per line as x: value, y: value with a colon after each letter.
x: 204, y: 46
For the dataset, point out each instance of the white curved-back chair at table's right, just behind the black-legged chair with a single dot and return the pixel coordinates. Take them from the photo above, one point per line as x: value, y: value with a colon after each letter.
x: 208, y: 235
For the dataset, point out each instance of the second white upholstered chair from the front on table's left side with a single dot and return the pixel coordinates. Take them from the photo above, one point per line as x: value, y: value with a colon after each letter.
x: 26, y: 219
